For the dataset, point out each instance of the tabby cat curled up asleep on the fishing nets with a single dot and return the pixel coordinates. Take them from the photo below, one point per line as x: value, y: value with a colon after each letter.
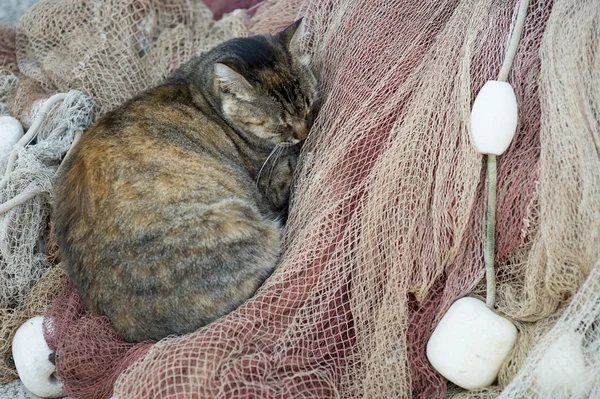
x: 169, y: 210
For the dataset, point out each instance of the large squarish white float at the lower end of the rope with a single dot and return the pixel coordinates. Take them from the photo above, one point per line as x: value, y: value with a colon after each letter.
x: 470, y: 344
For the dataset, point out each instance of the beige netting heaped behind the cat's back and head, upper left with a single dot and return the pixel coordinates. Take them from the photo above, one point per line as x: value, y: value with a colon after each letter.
x: 114, y: 49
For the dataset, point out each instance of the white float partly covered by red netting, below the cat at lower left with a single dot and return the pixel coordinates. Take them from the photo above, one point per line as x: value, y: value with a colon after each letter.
x: 30, y: 353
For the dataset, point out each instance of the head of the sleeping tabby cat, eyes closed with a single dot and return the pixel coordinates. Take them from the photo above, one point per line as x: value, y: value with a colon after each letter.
x: 265, y: 86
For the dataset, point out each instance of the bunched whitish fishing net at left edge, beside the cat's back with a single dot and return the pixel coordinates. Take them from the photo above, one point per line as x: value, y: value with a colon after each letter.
x: 22, y: 254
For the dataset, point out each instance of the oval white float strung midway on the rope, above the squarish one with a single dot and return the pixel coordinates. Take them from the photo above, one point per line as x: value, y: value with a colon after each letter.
x: 494, y: 117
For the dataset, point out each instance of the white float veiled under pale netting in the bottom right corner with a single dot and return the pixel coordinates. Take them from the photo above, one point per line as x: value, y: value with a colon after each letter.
x: 562, y: 369
